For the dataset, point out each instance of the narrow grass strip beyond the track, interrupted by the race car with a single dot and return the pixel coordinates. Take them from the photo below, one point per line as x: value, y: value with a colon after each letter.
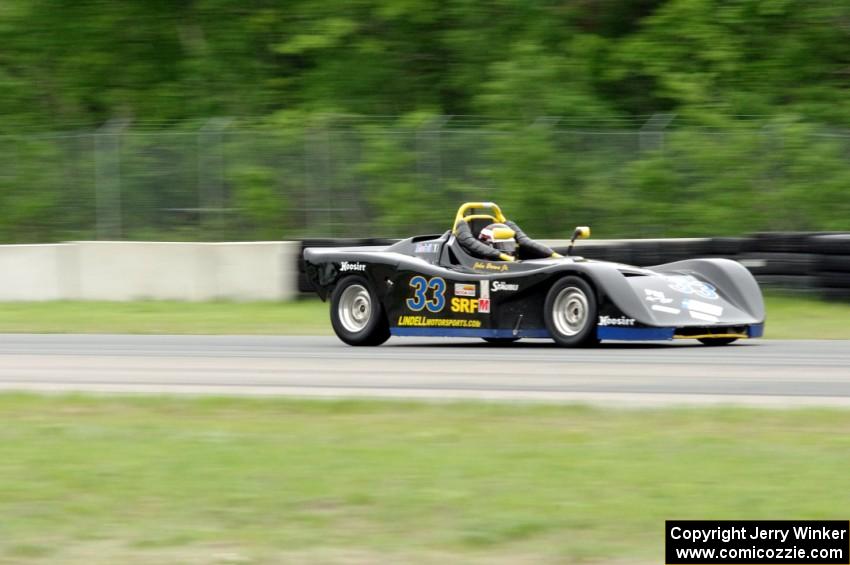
x: 788, y: 317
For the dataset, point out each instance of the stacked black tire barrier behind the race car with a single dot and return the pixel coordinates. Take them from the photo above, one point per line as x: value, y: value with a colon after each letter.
x: 810, y: 262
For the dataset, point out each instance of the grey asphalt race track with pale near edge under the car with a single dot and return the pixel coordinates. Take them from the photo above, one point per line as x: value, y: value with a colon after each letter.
x: 758, y: 372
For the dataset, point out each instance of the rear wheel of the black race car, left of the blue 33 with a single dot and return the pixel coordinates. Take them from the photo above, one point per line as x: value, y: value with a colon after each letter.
x: 357, y: 297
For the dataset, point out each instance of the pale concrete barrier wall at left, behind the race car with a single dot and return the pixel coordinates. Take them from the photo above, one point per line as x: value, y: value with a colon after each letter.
x: 123, y: 271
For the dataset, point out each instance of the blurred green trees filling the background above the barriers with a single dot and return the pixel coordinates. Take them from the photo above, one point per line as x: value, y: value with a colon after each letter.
x: 760, y: 139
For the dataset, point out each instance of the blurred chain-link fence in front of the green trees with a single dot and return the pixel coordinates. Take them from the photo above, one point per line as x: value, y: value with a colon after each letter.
x: 223, y: 180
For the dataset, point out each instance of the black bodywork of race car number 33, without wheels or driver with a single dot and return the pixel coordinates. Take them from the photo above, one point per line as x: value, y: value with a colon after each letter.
x: 429, y: 286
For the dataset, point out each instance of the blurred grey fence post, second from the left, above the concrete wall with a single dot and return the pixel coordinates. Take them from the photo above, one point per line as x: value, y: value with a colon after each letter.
x: 211, y: 170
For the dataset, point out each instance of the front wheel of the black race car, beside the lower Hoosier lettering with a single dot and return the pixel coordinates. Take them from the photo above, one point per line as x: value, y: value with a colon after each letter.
x: 570, y: 313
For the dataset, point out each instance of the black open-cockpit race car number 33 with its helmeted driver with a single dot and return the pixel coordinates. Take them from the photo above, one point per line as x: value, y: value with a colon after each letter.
x: 486, y: 278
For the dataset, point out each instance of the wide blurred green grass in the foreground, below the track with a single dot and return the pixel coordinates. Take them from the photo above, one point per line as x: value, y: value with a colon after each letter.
x: 151, y: 480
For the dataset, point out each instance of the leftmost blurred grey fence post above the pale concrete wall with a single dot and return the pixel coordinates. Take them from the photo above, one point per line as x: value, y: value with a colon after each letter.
x: 107, y: 178
